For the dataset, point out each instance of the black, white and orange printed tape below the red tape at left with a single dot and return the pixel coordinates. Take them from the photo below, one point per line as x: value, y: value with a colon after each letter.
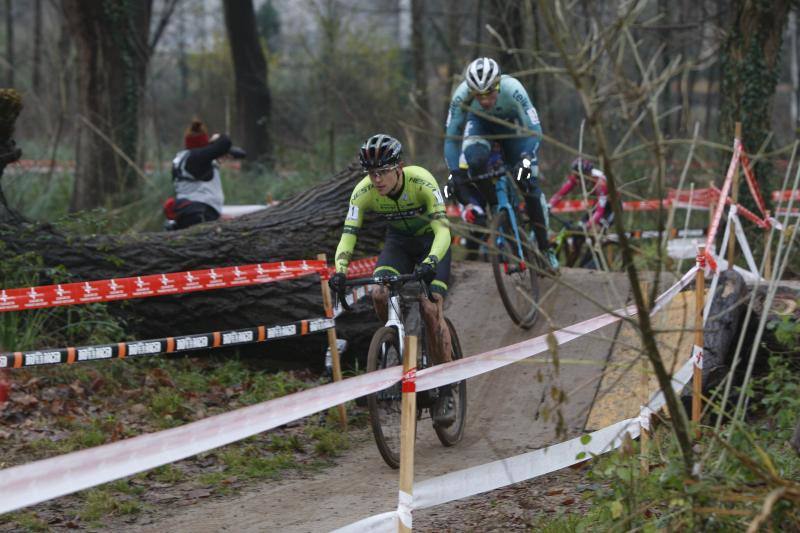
x: 152, y: 347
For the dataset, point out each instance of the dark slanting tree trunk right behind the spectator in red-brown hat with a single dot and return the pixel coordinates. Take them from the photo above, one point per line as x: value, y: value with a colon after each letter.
x: 250, y: 67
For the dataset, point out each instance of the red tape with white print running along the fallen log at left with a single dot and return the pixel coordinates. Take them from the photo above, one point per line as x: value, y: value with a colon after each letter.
x: 155, y: 285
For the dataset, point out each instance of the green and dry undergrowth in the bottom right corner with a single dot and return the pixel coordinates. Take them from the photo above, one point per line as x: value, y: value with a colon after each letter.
x: 734, y: 482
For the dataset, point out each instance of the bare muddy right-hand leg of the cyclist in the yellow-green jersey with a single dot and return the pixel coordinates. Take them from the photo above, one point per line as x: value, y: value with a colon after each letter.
x: 439, y: 343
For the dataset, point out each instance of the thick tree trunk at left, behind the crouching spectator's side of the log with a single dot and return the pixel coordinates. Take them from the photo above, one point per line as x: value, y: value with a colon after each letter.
x: 113, y: 53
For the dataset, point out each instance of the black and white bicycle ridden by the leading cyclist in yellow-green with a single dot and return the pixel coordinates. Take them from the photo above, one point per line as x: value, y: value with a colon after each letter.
x: 386, y: 350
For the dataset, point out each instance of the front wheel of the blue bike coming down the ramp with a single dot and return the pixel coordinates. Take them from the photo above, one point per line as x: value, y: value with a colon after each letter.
x: 516, y: 279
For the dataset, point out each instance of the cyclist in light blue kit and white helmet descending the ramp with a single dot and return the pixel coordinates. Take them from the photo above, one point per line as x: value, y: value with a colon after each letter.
x: 484, y: 96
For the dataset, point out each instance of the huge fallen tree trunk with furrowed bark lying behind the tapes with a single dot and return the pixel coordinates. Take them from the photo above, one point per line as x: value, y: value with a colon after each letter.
x: 305, y: 225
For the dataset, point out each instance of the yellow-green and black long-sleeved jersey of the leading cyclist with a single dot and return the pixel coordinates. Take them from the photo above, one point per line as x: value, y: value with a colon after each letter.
x: 418, y: 209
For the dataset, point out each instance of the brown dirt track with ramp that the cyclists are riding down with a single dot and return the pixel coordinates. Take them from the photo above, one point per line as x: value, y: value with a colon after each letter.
x: 505, y: 416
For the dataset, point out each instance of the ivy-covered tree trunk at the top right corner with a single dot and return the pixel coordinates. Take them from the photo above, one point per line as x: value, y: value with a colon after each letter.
x: 750, y: 71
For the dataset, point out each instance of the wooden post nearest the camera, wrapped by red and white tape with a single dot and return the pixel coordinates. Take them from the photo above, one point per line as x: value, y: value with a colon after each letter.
x: 408, y: 425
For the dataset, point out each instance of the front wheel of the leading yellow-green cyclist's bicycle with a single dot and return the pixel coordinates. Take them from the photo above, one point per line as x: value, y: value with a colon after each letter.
x: 384, y: 406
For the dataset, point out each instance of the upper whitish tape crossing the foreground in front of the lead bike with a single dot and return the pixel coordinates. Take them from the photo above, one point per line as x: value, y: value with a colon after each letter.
x: 50, y: 478
